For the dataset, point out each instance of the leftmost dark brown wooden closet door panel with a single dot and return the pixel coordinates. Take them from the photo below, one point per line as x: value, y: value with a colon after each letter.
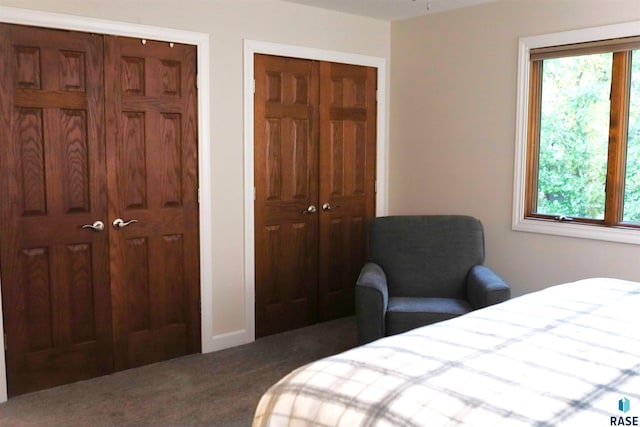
x: 55, y: 276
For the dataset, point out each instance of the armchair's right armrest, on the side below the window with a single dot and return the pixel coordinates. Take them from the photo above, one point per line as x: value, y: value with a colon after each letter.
x: 484, y: 287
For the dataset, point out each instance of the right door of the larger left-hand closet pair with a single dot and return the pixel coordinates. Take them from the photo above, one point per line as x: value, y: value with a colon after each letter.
x: 152, y: 179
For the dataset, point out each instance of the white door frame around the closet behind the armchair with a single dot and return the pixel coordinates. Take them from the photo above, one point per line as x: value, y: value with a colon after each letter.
x: 251, y: 47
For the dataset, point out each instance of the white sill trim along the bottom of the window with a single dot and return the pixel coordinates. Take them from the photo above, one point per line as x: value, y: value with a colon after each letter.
x: 583, y: 231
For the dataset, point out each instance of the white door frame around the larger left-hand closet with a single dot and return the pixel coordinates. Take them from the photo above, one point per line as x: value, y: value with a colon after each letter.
x: 201, y: 41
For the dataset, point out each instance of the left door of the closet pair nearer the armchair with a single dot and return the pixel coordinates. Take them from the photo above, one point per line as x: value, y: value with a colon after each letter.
x: 286, y: 162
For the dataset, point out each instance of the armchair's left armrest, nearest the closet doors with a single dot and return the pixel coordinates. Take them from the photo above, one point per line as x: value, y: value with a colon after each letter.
x: 372, y: 297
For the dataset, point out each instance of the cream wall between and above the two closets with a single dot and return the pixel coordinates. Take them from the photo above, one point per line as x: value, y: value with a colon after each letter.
x: 229, y: 23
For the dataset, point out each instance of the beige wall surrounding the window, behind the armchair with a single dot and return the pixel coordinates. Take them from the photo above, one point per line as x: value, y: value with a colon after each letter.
x: 452, y: 143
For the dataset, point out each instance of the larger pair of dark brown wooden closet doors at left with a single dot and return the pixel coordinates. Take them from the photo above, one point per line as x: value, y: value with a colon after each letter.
x: 99, y: 253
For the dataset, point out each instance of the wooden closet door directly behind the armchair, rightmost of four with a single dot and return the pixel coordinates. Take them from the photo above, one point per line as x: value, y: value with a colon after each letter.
x: 347, y: 181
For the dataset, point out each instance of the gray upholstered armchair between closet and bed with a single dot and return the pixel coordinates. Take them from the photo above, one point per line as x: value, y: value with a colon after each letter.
x: 421, y: 270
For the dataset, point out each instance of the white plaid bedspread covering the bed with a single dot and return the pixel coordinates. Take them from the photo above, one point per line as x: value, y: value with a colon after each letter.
x: 565, y: 356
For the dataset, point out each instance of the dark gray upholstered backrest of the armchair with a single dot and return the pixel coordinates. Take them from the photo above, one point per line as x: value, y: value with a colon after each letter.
x: 428, y: 255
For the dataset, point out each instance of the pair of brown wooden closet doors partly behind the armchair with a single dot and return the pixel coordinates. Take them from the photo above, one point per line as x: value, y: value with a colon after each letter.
x: 315, y: 156
